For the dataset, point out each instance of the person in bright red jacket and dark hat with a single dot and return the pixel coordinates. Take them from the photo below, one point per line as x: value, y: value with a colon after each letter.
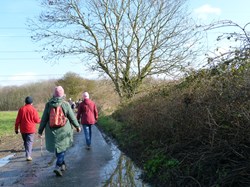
x: 27, y: 118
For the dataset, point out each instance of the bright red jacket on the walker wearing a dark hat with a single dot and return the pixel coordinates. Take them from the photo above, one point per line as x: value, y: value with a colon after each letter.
x: 27, y: 118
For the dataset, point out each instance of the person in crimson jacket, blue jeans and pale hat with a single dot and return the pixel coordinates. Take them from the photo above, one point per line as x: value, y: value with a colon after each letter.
x: 88, y: 114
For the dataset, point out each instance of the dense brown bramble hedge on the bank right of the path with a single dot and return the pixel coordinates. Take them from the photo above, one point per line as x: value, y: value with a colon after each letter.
x: 202, y: 123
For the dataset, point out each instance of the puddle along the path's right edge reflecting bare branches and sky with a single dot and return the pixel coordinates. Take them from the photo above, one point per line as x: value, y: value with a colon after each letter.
x: 120, y: 171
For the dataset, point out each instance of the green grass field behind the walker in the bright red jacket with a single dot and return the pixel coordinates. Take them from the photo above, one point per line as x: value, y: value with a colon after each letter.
x: 7, y: 122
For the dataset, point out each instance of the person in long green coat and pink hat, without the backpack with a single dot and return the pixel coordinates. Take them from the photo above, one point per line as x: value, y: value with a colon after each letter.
x: 59, y: 139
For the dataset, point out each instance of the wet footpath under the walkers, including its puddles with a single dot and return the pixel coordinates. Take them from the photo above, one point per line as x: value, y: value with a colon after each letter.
x: 103, y: 165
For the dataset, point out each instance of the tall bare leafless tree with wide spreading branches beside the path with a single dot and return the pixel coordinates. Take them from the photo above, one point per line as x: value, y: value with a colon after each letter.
x: 126, y: 40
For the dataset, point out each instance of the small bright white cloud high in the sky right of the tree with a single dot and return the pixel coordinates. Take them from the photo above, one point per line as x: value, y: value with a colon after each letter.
x: 204, y: 11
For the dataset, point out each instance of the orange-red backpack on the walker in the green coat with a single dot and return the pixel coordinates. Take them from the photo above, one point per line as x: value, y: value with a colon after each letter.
x: 57, y: 117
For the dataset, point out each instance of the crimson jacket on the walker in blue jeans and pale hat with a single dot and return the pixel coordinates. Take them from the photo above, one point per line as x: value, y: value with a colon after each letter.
x: 87, y: 112
